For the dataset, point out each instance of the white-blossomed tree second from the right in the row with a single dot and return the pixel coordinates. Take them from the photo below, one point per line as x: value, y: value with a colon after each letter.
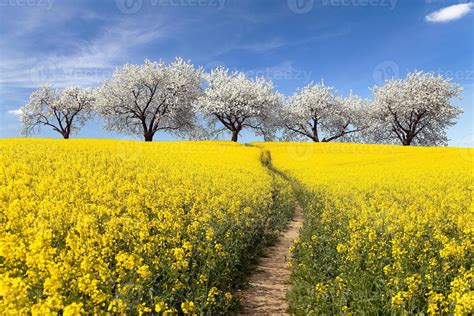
x: 317, y: 113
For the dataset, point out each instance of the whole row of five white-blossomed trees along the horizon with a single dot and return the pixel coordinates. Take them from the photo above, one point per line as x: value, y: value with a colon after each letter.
x: 182, y: 99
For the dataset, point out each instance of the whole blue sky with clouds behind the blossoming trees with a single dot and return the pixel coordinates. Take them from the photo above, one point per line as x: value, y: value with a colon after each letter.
x: 351, y: 44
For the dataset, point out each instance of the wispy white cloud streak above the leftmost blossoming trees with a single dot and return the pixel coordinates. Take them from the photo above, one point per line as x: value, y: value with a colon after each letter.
x: 85, y: 63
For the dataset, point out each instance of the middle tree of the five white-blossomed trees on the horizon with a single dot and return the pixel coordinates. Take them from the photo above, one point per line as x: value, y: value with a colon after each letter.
x: 237, y: 102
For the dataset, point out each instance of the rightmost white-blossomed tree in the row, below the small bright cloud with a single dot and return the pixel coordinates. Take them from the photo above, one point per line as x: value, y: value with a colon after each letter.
x: 414, y: 110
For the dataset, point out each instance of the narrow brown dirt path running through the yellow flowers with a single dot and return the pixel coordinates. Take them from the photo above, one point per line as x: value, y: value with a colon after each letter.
x: 269, y: 283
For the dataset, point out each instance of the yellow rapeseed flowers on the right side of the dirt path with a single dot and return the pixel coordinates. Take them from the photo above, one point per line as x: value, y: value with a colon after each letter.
x: 387, y: 230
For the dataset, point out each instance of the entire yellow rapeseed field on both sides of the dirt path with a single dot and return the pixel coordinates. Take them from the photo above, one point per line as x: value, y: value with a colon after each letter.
x: 96, y: 226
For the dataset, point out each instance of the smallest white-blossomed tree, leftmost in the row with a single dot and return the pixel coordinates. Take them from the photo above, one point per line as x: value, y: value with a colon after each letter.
x: 64, y: 110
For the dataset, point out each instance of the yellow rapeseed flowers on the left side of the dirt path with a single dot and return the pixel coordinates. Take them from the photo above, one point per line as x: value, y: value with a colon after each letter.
x: 89, y: 226
